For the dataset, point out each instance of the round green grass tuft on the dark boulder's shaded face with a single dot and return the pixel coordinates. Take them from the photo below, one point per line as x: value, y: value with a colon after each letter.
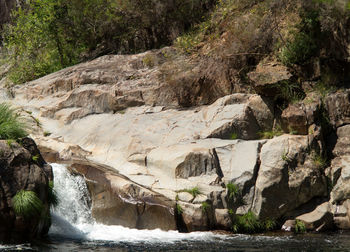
x: 27, y: 204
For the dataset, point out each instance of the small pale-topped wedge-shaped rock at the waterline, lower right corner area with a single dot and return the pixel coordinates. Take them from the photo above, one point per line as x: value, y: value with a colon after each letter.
x: 320, y: 219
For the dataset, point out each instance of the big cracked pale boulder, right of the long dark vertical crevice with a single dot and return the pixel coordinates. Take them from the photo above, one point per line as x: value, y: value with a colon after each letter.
x: 286, y: 169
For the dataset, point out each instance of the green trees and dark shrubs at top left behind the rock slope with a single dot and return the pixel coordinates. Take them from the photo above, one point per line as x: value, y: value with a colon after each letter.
x: 48, y: 35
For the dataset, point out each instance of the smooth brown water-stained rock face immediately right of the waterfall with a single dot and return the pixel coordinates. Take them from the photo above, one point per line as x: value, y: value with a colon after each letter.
x: 118, y: 201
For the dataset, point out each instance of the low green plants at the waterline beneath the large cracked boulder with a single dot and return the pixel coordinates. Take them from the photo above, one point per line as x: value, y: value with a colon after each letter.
x: 249, y: 223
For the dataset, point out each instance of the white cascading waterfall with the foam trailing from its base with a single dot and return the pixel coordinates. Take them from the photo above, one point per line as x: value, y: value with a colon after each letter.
x: 72, y: 217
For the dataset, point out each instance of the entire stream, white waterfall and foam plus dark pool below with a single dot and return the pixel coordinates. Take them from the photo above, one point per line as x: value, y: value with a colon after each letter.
x: 74, y: 229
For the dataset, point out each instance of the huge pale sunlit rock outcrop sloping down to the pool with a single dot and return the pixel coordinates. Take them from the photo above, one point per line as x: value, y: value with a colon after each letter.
x: 175, y: 168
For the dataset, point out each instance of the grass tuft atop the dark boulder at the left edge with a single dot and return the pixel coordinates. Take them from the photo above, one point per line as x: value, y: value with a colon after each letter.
x: 11, y: 127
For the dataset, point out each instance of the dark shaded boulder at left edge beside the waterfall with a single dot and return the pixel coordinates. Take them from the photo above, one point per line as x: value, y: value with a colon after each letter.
x: 19, y: 170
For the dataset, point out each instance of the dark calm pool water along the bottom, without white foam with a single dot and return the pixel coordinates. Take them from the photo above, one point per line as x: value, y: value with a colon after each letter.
x: 276, y: 242
